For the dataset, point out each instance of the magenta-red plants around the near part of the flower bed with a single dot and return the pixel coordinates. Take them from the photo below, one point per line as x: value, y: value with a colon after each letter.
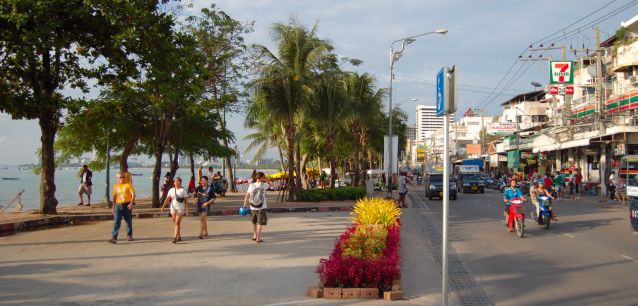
x: 341, y: 270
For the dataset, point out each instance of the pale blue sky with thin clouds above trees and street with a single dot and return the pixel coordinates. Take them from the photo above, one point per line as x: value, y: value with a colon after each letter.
x: 485, y: 39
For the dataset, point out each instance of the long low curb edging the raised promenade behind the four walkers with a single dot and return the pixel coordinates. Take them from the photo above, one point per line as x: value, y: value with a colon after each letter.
x: 9, y: 229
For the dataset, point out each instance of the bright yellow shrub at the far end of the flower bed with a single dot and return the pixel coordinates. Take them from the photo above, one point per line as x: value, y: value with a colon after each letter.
x: 375, y: 211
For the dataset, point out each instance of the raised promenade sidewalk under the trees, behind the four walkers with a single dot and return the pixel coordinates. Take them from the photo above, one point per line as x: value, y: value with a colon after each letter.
x: 15, y: 222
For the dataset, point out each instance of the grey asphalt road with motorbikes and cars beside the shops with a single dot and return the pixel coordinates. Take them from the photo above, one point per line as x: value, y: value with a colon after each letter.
x: 588, y: 257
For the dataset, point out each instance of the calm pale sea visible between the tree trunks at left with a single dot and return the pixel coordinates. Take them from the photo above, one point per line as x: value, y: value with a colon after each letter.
x: 67, y: 181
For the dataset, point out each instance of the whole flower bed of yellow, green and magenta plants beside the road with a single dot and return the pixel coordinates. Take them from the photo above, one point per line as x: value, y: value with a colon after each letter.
x: 366, y: 255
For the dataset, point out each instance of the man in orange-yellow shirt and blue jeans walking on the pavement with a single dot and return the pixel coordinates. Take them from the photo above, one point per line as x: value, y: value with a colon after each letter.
x: 123, y: 202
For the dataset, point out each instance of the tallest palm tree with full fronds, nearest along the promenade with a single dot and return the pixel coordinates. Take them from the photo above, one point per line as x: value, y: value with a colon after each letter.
x: 282, y: 86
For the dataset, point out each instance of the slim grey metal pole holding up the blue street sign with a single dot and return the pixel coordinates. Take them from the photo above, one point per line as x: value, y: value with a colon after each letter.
x: 446, y: 203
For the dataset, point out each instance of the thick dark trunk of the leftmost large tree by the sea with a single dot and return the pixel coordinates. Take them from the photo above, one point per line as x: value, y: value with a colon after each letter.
x: 48, y: 127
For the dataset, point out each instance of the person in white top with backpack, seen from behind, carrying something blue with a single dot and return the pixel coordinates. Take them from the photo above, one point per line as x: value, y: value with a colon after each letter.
x: 256, y: 197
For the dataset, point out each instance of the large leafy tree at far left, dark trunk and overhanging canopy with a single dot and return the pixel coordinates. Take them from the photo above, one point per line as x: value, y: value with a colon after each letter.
x: 49, y: 45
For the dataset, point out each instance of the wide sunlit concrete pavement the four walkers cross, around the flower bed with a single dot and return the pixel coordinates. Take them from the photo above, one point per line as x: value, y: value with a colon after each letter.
x: 75, y: 264
